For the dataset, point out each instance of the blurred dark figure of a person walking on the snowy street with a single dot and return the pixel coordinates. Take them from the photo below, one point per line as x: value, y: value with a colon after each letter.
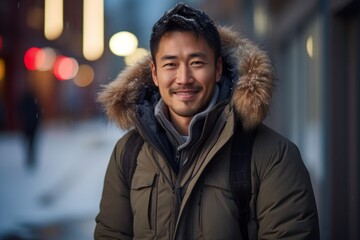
x: 29, y: 113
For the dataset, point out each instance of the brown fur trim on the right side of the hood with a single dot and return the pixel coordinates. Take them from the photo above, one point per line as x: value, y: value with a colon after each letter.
x: 253, y: 90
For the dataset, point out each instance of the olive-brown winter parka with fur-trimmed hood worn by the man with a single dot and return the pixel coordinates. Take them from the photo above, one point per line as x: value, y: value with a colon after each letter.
x: 195, y: 202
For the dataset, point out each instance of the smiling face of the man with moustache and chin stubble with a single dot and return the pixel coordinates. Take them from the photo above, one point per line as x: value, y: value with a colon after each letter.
x: 186, y: 72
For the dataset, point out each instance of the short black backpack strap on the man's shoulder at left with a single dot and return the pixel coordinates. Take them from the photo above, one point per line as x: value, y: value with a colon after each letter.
x: 129, y: 156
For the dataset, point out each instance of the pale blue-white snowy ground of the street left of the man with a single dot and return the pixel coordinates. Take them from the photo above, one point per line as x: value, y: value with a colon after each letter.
x: 59, y: 197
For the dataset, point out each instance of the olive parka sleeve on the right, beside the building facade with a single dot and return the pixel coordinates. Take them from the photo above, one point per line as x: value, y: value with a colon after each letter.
x: 286, y: 207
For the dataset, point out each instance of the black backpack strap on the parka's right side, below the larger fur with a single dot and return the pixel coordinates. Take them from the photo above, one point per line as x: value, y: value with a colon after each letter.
x: 240, y: 174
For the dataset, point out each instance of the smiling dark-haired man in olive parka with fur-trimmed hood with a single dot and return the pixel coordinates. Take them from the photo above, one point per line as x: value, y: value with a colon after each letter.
x: 202, y: 85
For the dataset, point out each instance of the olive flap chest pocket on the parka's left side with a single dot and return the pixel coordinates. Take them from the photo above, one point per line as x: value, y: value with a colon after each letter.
x: 143, y: 198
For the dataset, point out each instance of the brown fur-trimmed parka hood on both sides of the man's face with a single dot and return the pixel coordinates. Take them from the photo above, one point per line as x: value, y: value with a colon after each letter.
x: 247, y: 69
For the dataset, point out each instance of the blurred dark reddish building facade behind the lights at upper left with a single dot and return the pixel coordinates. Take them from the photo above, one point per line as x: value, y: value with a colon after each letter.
x: 22, y: 28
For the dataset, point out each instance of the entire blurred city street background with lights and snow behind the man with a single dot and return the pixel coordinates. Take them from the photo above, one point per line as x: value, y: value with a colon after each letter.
x: 56, y: 55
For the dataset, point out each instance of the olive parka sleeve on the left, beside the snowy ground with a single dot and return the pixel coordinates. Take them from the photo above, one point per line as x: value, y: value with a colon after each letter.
x: 114, y: 221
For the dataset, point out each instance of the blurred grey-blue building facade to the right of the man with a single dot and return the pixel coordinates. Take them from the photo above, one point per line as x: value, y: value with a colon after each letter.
x: 316, y: 50
